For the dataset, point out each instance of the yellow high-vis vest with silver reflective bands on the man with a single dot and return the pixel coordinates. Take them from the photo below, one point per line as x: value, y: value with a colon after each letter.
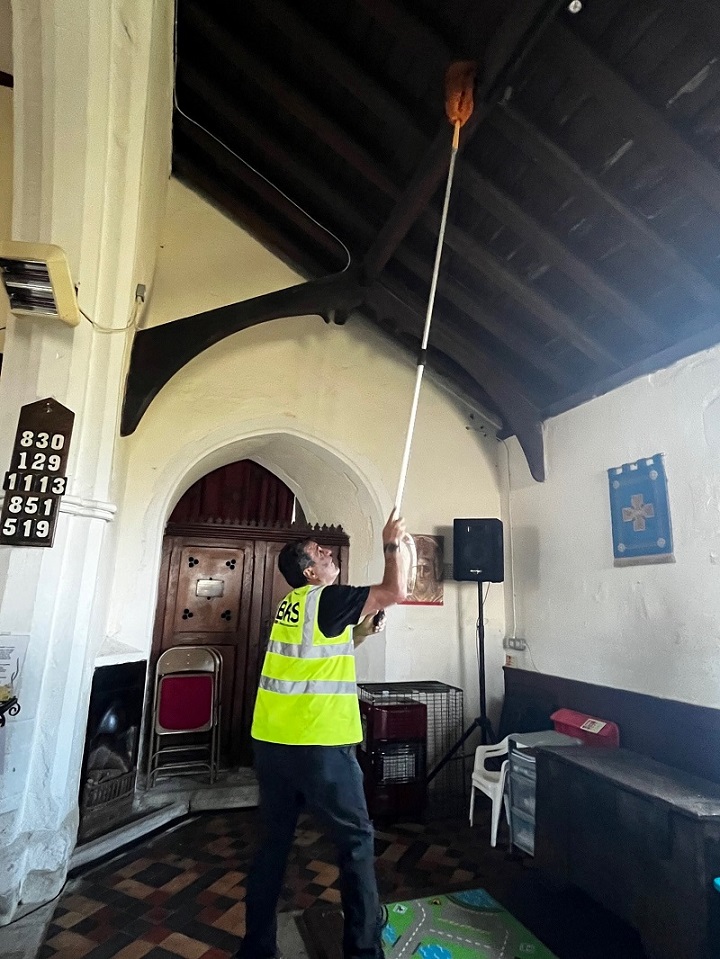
x: 308, y: 692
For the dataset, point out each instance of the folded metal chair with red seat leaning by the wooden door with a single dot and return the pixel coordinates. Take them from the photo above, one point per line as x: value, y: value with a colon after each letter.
x: 186, y: 713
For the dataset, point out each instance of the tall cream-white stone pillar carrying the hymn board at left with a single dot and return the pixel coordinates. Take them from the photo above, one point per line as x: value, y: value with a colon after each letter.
x: 92, y: 103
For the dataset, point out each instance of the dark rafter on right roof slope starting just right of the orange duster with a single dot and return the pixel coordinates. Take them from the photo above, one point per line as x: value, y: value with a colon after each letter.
x: 539, y: 148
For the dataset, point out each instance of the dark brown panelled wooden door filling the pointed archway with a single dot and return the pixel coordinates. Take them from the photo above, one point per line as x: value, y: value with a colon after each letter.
x: 220, y: 585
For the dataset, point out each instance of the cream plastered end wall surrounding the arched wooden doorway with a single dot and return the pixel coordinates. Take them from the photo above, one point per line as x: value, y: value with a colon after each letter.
x: 325, y: 408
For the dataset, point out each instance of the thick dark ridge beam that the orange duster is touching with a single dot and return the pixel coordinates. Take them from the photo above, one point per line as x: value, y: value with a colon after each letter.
x: 516, y: 35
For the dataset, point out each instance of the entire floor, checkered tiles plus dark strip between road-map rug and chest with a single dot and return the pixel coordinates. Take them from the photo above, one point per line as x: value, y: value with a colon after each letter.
x: 181, y: 894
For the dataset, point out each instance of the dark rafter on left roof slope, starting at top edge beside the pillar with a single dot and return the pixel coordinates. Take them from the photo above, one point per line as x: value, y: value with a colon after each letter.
x: 288, y: 98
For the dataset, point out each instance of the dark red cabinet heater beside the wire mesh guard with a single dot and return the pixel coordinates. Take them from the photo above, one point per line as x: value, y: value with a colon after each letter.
x: 393, y: 756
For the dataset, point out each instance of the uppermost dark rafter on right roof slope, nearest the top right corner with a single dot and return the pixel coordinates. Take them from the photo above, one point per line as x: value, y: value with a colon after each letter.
x: 641, y: 119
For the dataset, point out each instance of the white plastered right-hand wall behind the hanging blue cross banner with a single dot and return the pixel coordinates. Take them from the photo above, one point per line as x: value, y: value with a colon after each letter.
x: 652, y: 629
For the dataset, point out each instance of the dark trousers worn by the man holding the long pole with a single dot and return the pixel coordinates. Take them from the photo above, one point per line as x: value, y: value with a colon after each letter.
x: 327, y: 781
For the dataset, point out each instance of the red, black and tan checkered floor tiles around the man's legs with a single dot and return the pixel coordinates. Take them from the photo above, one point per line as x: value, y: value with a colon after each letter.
x: 181, y: 894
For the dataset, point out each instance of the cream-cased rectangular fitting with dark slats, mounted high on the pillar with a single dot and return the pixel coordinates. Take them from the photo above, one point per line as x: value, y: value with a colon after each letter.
x: 37, y: 280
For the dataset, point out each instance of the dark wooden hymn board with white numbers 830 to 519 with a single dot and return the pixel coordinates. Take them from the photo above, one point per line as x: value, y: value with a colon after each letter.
x: 36, y: 480
